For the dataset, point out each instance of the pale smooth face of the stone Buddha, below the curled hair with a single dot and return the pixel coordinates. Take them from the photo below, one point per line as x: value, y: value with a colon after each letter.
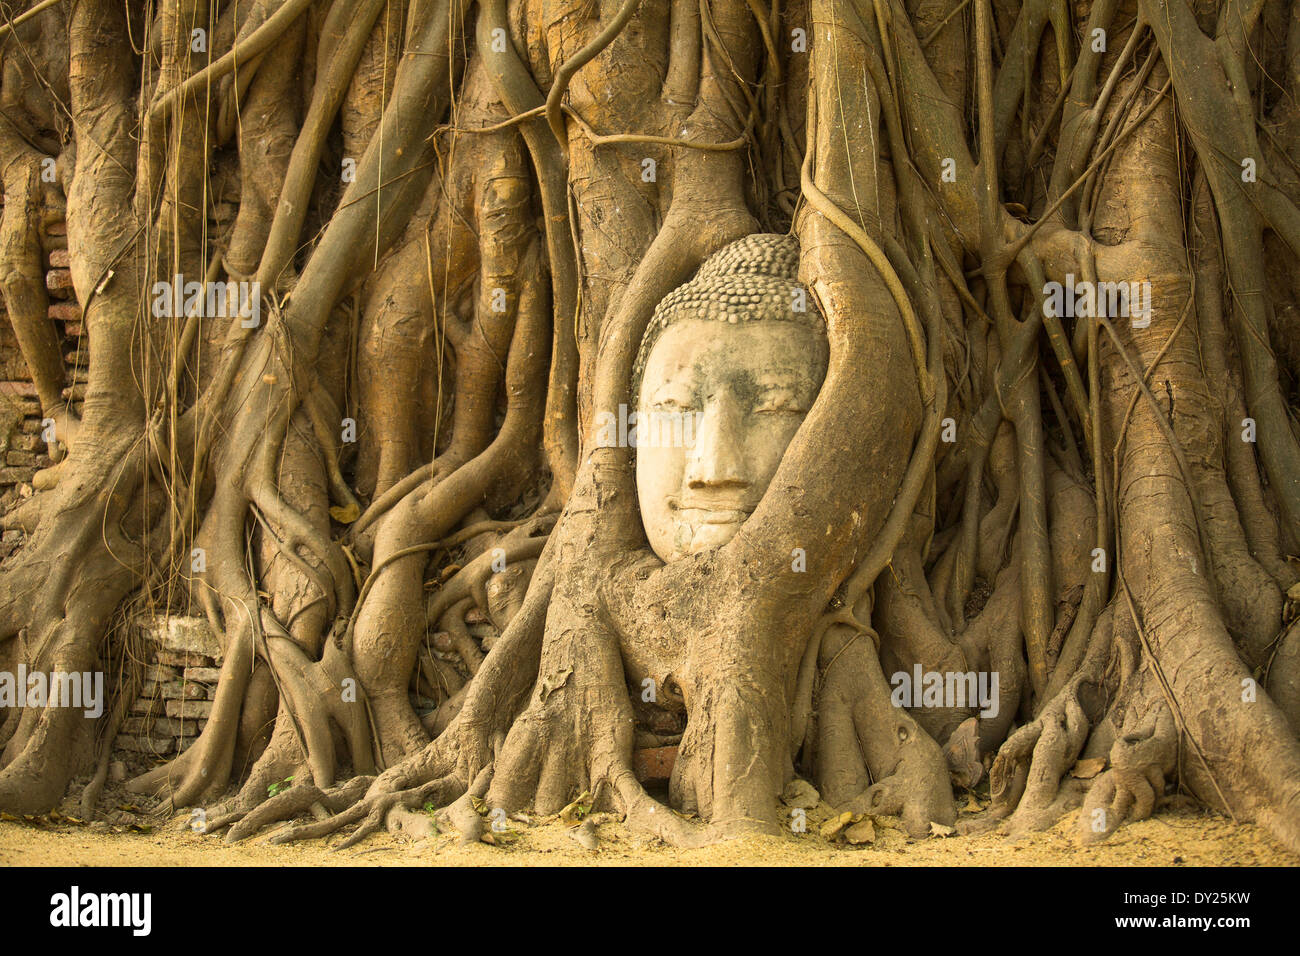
x: 740, y: 392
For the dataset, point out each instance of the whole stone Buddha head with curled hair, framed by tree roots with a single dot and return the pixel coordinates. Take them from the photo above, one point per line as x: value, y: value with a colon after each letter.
x: 729, y: 369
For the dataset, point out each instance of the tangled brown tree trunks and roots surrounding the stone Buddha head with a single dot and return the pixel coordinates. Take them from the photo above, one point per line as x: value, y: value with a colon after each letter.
x: 461, y: 218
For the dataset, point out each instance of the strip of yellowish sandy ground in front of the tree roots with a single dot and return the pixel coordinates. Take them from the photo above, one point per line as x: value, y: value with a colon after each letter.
x: 1172, y: 838
